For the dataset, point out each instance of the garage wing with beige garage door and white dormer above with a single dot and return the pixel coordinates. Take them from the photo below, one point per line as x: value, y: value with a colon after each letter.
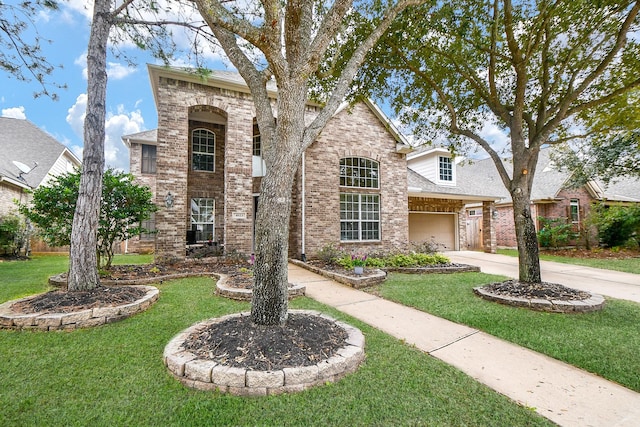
x: 437, y: 200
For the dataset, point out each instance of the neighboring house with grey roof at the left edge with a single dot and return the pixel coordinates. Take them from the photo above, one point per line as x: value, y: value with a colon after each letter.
x: 29, y: 158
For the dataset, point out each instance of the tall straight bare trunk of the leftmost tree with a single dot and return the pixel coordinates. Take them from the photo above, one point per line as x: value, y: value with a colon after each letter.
x: 83, y: 264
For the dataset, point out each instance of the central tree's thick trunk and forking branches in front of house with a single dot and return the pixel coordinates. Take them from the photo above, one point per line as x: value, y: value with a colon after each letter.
x: 289, y: 41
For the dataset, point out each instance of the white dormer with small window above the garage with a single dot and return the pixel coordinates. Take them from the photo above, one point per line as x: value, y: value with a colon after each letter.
x: 435, y: 164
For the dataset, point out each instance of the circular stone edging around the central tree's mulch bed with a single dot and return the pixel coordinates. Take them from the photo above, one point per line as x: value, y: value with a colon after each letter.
x: 207, y: 375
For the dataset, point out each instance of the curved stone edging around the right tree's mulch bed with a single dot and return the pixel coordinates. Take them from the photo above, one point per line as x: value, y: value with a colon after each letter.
x: 594, y: 303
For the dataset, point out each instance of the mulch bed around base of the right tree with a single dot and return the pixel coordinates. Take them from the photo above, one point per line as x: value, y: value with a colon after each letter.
x: 544, y: 290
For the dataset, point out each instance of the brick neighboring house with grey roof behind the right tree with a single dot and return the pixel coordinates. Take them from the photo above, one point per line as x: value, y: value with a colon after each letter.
x: 552, y: 196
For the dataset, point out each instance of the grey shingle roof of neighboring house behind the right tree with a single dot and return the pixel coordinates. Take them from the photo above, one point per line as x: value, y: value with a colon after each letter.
x: 548, y: 181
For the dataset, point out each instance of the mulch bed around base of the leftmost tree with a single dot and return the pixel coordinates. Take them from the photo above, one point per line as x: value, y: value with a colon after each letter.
x: 69, y: 302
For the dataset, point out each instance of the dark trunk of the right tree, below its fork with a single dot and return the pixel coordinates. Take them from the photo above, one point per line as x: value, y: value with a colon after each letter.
x: 526, y: 237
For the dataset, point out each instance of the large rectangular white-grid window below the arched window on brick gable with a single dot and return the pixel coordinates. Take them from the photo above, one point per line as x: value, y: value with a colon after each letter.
x: 359, y: 217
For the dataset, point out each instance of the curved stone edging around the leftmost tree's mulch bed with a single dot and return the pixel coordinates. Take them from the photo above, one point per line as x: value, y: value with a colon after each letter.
x: 75, y: 320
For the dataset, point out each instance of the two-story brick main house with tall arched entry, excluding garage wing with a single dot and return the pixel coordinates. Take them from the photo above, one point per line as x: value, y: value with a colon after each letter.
x: 204, y: 165
